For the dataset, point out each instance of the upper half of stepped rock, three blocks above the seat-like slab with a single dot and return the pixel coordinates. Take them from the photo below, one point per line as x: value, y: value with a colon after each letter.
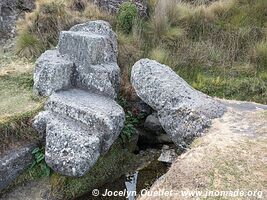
x: 86, y: 58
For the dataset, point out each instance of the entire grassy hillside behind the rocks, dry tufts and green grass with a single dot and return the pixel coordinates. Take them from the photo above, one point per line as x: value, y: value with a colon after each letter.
x: 219, y: 47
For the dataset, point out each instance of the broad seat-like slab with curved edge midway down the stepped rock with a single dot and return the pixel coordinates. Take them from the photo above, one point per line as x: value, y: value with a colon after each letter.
x: 97, y: 112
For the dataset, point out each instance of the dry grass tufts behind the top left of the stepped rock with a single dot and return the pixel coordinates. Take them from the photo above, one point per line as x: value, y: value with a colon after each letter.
x: 40, y: 29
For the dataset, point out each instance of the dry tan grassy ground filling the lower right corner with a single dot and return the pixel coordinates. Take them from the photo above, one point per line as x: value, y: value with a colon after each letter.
x: 229, y: 162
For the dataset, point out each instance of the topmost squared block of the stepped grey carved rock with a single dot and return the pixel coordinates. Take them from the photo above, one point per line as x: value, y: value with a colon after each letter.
x: 89, y: 43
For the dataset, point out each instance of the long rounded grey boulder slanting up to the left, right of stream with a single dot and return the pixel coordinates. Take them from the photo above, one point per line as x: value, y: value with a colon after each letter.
x: 183, y: 111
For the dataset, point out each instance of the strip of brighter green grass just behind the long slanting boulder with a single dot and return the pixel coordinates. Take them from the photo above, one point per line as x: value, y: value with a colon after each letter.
x: 239, y: 82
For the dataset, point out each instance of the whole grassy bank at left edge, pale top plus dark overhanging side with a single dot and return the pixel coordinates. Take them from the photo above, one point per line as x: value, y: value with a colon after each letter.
x: 18, y: 105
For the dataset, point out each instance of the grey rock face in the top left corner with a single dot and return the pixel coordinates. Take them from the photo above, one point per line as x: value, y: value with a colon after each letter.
x: 10, y: 11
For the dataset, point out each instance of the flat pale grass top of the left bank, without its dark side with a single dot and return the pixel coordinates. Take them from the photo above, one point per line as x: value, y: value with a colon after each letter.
x: 16, y: 81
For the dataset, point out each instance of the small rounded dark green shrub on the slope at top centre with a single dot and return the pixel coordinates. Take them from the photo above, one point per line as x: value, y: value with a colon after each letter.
x: 126, y: 16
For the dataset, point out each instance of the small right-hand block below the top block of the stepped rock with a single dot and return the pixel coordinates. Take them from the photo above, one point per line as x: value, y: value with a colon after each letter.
x: 103, y: 79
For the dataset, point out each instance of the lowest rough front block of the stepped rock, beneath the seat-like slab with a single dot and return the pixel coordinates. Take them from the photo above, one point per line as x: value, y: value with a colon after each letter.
x: 72, y: 148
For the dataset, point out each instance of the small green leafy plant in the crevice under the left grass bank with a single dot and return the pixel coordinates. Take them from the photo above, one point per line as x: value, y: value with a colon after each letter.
x: 39, y: 168
